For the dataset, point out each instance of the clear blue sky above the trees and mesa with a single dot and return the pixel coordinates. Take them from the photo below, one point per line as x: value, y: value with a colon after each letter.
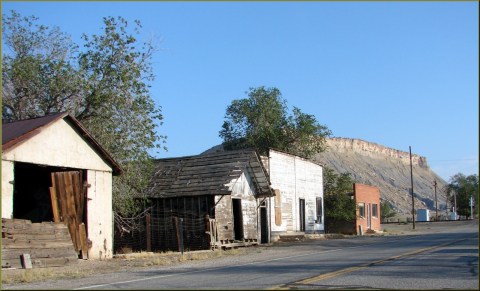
x: 396, y: 74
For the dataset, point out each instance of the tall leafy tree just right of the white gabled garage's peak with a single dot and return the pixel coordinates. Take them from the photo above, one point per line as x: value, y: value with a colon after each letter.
x: 117, y: 105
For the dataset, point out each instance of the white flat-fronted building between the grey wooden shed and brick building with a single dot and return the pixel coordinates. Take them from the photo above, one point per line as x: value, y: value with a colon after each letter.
x: 297, y: 207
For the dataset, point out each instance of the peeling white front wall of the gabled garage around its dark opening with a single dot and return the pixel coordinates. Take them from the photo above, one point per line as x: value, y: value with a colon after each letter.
x: 60, y: 145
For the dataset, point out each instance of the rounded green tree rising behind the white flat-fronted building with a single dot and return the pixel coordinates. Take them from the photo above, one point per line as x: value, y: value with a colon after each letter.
x: 261, y: 121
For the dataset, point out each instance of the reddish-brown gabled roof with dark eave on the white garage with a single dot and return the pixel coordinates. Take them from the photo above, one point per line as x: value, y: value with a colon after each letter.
x: 14, y: 133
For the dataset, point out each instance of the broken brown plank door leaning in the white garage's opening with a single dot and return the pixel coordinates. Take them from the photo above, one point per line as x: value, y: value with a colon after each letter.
x: 68, y: 205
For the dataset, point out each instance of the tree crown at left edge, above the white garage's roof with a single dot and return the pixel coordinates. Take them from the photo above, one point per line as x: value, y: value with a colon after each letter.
x: 38, y: 75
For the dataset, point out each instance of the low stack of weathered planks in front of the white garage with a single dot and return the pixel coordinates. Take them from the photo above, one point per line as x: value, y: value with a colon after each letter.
x: 45, y: 244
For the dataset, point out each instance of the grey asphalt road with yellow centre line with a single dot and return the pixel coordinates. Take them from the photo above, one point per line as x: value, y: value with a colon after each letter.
x: 443, y: 258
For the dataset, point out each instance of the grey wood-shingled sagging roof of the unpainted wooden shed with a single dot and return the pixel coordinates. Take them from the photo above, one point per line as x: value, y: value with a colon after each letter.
x: 207, y: 175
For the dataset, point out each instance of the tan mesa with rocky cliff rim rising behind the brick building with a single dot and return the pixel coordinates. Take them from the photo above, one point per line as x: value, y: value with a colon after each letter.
x: 387, y: 169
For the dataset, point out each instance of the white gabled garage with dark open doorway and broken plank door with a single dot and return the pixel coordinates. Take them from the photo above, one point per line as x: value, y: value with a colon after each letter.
x: 53, y: 170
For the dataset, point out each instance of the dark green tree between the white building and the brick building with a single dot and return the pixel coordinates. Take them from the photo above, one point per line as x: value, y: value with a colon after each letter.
x: 339, y: 205
